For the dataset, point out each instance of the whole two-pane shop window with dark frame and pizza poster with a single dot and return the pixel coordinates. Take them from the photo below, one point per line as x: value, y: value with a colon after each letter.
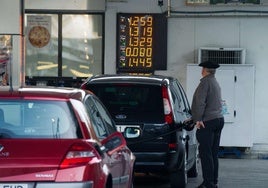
x: 62, y: 49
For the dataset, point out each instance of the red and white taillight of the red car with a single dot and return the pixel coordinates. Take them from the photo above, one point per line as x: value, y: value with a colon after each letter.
x: 78, y: 155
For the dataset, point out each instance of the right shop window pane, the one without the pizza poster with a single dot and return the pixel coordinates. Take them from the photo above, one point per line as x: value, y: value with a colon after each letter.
x: 82, y: 45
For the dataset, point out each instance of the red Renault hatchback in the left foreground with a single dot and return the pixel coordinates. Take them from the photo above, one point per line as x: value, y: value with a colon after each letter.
x: 60, y: 138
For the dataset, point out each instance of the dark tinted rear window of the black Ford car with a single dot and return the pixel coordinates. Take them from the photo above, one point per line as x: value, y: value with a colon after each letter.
x: 131, y: 102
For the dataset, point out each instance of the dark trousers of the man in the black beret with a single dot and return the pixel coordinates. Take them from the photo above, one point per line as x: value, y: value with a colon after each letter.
x: 209, y: 141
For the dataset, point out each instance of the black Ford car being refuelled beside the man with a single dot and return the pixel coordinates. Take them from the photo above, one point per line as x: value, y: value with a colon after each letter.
x: 158, y: 107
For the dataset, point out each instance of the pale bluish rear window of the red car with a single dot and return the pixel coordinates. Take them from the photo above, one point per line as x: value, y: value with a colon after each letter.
x: 36, y: 119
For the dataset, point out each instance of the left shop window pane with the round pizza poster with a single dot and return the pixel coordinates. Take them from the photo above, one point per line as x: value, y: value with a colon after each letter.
x: 41, y: 45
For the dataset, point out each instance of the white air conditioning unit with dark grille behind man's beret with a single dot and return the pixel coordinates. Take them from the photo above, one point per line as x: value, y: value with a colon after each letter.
x: 222, y: 55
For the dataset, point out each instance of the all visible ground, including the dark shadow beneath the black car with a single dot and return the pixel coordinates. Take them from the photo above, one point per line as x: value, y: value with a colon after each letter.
x: 244, y: 172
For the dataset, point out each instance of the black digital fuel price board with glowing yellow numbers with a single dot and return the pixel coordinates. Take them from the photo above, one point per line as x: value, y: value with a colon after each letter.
x: 141, y: 42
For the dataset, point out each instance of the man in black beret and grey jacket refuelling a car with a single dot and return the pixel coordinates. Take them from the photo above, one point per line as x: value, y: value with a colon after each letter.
x: 206, y: 112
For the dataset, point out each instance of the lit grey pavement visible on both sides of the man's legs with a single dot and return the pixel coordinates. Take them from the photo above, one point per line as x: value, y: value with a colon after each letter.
x: 238, y: 173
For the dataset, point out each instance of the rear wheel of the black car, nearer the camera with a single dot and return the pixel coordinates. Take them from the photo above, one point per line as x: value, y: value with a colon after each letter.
x: 178, y: 179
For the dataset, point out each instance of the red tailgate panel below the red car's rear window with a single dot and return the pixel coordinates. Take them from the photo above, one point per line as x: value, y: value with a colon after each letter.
x: 32, y: 159
